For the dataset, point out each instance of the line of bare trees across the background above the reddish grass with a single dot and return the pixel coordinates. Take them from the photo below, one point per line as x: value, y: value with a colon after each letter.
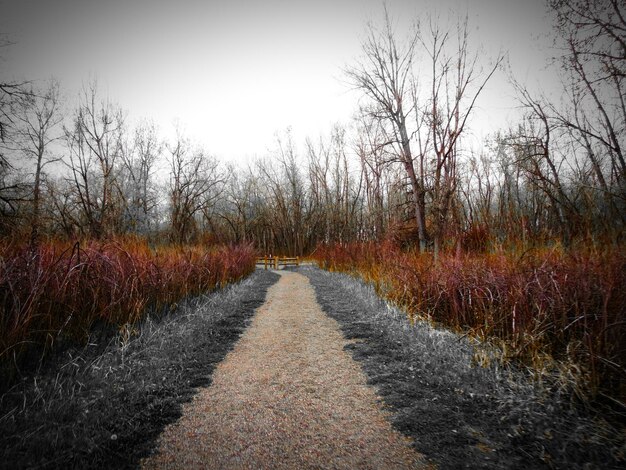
x: 401, y: 170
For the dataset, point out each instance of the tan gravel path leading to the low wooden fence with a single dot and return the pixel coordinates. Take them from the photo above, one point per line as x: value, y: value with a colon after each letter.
x: 287, y: 396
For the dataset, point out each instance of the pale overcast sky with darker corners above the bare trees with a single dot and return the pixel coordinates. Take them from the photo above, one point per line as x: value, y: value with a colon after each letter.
x: 234, y: 72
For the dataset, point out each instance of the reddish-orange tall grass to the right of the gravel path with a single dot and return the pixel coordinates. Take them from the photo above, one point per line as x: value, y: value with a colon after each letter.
x: 561, y: 312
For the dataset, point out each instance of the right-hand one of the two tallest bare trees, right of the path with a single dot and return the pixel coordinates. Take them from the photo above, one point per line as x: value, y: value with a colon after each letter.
x: 443, y: 112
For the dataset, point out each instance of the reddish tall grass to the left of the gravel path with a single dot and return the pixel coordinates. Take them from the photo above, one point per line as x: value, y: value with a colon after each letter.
x: 59, y: 291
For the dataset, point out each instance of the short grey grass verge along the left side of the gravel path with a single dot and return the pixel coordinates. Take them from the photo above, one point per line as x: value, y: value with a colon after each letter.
x: 91, y: 408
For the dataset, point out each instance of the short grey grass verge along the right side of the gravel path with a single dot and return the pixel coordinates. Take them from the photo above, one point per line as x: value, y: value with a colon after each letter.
x: 461, y: 415
